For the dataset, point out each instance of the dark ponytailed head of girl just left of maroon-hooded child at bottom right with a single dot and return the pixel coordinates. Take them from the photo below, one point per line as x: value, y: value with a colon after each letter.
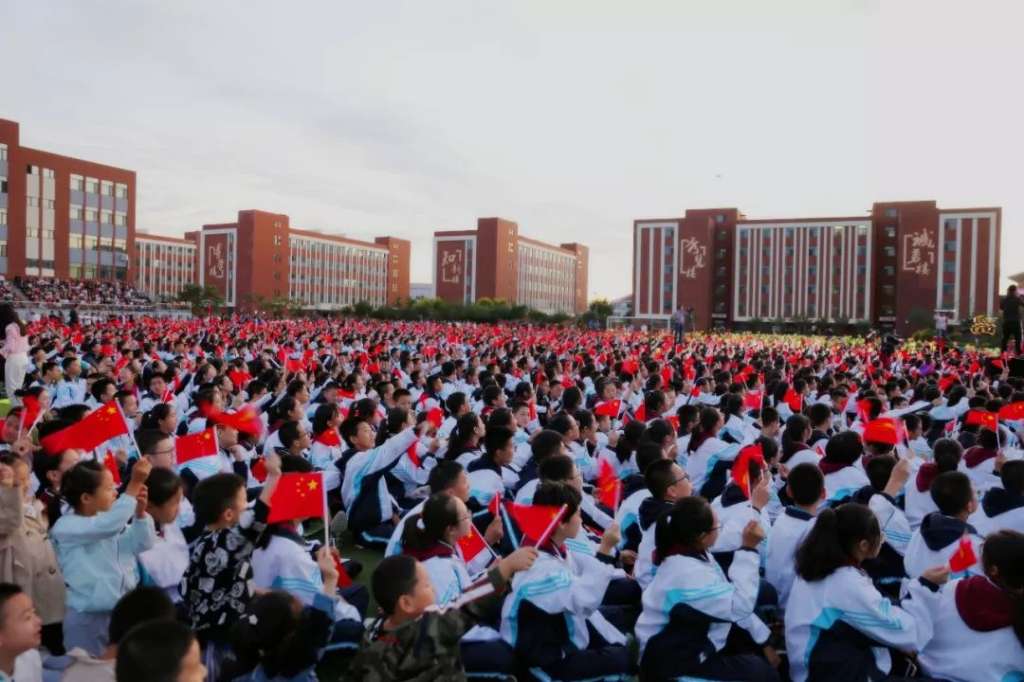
x: 835, y: 539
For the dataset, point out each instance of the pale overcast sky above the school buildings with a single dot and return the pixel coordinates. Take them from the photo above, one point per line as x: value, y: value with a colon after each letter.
x: 571, y: 118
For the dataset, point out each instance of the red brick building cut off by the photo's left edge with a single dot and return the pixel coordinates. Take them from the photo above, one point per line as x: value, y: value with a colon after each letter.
x: 62, y: 217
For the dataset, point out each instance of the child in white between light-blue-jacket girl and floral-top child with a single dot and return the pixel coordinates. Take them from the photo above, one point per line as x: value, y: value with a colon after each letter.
x: 164, y: 565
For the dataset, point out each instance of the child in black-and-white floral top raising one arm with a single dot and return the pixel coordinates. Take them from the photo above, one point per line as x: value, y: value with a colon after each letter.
x: 218, y: 585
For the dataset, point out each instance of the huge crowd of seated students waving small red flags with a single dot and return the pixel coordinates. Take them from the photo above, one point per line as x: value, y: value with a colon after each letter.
x: 734, y: 507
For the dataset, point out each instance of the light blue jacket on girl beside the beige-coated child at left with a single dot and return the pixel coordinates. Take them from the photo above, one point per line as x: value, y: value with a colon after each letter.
x: 98, y: 555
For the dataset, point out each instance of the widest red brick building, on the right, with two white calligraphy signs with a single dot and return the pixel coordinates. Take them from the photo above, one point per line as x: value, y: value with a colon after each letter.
x: 904, y: 259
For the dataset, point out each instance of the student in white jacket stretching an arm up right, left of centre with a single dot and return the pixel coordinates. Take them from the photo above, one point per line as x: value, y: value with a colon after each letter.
x: 369, y: 505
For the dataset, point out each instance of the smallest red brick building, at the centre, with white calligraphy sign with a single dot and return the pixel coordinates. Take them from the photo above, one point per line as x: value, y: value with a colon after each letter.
x: 495, y: 262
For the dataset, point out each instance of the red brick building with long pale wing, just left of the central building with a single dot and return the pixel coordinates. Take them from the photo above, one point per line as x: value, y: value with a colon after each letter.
x: 262, y: 257
